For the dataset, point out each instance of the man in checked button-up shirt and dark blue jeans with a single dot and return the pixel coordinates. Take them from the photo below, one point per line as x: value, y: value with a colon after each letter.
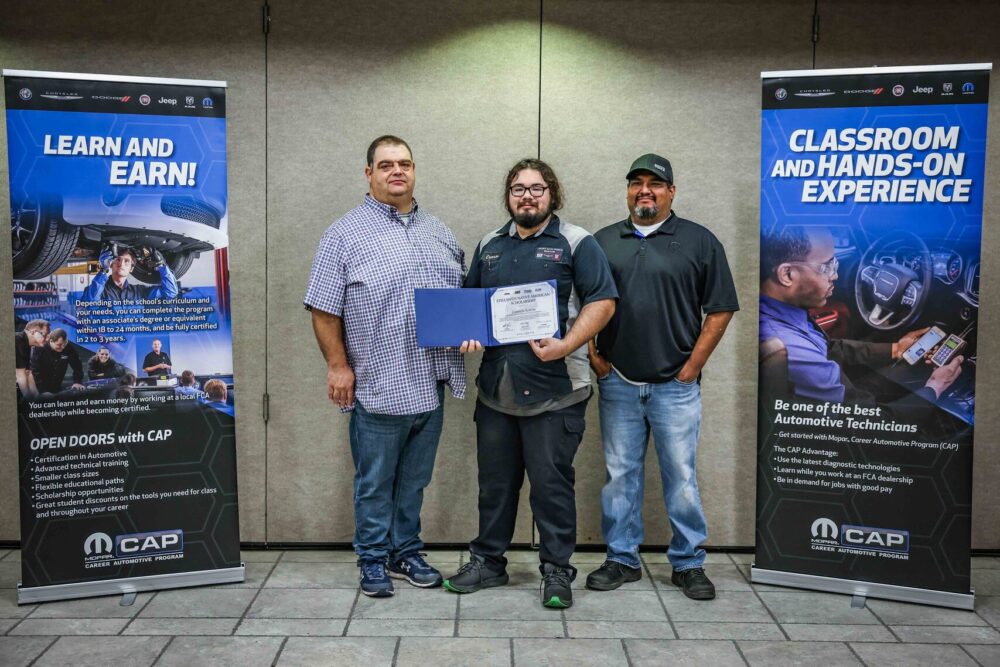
x: 361, y: 297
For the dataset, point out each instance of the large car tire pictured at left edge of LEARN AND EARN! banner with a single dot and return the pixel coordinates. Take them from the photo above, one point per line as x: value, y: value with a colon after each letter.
x: 40, y: 240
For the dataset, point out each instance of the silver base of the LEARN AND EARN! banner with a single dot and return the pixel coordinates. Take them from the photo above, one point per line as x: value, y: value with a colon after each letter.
x: 86, y: 589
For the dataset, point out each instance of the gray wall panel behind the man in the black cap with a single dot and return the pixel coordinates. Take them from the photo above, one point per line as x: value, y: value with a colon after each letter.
x: 680, y: 79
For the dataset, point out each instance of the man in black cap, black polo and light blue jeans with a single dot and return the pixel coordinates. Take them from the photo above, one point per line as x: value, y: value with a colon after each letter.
x: 648, y: 361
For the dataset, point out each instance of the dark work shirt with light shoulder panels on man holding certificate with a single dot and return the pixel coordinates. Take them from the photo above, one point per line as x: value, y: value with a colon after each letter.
x: 562, y: 252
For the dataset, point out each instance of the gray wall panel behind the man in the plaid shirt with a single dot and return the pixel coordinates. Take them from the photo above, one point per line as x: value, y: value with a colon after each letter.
x: 460, y: 84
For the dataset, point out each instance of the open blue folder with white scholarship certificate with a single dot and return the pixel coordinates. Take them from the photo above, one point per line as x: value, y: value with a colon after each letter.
x: 491, y: 315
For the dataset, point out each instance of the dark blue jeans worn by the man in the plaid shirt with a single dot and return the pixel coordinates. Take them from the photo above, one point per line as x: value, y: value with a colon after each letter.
x: 393, y: 462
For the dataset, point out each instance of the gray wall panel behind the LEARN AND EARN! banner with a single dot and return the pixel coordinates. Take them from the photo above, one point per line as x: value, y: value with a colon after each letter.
x: 221, y: 41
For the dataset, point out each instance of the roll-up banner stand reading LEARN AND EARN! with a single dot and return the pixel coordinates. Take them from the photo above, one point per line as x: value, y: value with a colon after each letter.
x: 122, y: 333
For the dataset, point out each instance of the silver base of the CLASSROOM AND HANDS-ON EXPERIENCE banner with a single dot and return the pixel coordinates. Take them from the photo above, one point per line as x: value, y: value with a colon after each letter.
x: 864, y: 588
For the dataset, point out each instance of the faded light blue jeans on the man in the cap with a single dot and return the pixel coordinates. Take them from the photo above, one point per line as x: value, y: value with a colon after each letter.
x: 672, y: 411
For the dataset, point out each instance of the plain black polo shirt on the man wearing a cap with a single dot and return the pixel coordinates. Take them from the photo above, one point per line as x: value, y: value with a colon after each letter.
x: 666, y: 281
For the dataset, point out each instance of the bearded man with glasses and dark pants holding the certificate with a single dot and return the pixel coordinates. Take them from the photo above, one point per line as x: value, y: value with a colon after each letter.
x: 533, y: 396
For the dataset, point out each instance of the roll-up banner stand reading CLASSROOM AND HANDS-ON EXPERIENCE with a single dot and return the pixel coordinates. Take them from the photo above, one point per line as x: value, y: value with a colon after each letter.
x: 871, y: 218
